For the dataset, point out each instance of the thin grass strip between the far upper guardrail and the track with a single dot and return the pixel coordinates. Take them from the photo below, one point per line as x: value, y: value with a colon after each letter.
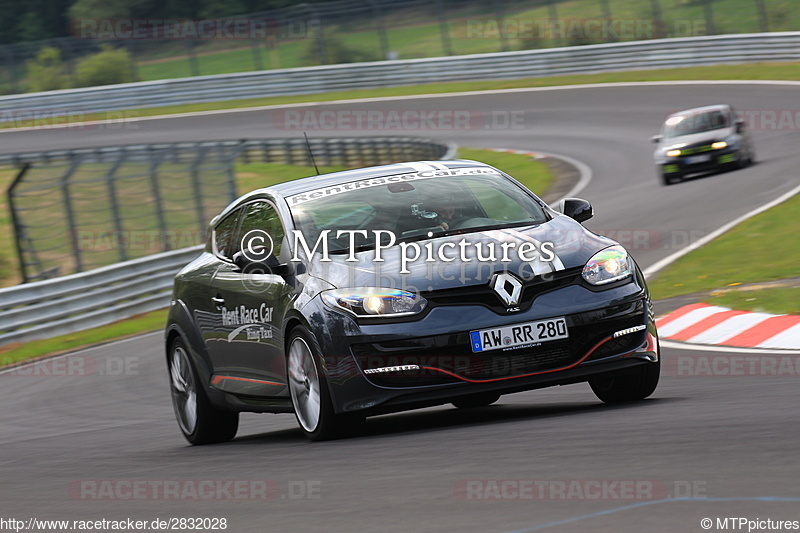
x: 755, y: 71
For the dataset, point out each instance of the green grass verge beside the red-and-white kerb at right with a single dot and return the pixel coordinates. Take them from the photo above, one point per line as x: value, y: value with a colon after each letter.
x: 763, y: 248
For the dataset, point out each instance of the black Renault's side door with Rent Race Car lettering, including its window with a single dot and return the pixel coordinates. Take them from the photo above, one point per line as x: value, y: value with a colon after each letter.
x: 251, y: 306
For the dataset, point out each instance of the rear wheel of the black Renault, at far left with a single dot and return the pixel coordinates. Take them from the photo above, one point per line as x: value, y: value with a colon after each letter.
x: 199, y: 421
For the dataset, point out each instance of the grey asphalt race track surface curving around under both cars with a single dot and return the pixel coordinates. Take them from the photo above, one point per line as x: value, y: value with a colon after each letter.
x: 102, y: 418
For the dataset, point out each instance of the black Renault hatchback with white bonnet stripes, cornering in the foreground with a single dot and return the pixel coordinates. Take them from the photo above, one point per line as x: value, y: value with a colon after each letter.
x: 382, y: 289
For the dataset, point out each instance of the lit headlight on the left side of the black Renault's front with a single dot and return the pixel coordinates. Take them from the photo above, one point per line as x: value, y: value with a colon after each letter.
x: 374, y: 301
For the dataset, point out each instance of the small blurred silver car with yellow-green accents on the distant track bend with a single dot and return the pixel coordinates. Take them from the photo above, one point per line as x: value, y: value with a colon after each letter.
x: 700, y: 140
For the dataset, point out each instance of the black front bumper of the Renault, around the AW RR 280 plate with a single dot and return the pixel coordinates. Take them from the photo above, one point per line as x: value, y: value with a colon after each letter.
x: 431, y: 362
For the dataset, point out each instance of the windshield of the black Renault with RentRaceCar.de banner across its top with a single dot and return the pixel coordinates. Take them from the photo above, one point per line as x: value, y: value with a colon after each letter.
x: 413, y: 207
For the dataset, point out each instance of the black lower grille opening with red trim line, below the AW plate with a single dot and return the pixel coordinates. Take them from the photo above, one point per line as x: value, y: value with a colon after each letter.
x: 452, y: 353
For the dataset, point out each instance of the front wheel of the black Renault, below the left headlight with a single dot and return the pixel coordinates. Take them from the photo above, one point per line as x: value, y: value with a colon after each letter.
x: 309, y: 390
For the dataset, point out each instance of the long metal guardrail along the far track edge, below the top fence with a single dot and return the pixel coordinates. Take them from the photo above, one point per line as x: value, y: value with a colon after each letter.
x: 660, y: 53
